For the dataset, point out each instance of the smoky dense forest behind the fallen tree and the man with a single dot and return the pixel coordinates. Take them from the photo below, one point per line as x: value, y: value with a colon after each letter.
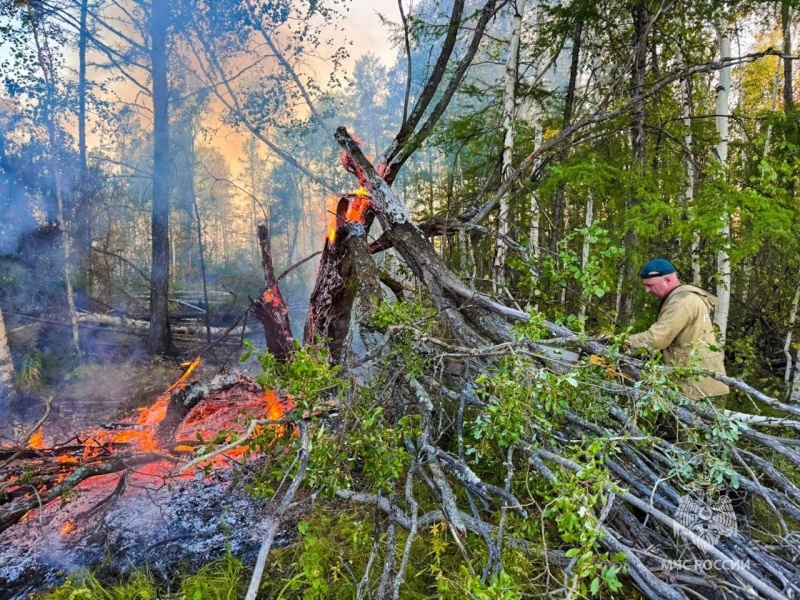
x: 142, y: 143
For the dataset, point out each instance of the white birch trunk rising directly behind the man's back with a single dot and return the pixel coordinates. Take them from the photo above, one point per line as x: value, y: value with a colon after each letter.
x: 722, y: 112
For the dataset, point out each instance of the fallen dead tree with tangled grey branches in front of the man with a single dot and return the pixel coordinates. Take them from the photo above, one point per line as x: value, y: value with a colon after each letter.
x: 647, y: 512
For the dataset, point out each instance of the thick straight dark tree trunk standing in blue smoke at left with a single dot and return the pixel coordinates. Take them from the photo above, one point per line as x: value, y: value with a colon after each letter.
x: 159, y: 339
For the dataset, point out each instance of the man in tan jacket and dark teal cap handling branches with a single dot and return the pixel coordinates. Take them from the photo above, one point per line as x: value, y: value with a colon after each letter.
x: 684, y: 331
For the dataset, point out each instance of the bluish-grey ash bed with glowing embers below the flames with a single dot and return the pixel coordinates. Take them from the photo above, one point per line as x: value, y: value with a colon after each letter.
x: 154, y: 524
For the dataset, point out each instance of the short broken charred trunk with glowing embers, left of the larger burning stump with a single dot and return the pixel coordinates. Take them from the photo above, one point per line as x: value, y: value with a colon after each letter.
x: 271, y: 308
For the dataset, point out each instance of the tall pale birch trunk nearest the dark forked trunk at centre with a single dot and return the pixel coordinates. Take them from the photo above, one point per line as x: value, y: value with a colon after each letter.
x: 509, y: 115
